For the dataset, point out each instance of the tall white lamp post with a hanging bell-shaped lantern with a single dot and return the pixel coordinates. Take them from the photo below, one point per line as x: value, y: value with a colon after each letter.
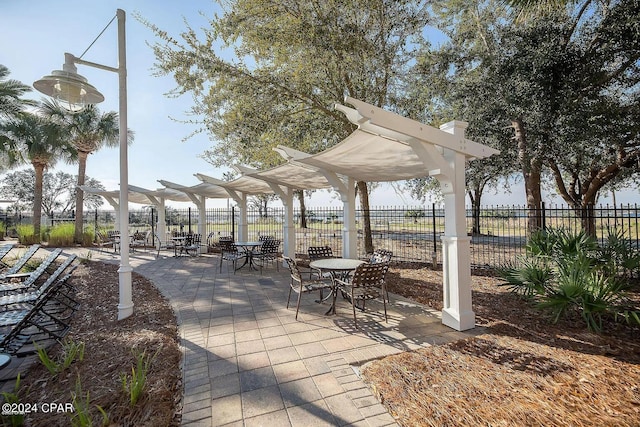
x: 75, y: 92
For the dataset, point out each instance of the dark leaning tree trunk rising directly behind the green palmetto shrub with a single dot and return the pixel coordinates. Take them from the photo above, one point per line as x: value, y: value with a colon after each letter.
x: 531, y: 171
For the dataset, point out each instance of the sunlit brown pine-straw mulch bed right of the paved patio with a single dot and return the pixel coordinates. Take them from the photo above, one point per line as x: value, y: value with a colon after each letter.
x: 523, y: 371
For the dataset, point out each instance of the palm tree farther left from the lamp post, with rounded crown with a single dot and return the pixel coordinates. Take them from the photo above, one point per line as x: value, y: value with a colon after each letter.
x: 41, y: 142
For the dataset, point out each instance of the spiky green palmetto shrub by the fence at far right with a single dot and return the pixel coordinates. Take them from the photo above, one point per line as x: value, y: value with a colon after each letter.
x: 568, y: 273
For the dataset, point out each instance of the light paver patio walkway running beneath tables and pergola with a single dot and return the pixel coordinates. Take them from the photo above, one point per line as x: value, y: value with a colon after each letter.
x: 247, y: 361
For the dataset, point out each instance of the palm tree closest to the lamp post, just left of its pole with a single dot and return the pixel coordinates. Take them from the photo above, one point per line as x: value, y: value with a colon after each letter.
x: 90, y: 130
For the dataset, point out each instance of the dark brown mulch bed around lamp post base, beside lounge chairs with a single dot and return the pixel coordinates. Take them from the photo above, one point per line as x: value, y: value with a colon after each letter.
x: 111, y: 347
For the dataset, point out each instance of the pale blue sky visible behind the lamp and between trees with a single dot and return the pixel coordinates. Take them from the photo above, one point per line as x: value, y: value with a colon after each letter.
x: 35, y: 35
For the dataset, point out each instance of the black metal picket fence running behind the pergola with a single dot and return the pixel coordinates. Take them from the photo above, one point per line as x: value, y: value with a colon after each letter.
x: 412, y: 233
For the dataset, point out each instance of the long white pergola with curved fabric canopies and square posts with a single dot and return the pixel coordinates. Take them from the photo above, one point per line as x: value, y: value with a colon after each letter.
x: 385, y: 147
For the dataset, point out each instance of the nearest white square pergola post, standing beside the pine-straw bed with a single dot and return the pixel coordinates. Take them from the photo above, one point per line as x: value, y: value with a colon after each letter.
x: 457, y: 312
